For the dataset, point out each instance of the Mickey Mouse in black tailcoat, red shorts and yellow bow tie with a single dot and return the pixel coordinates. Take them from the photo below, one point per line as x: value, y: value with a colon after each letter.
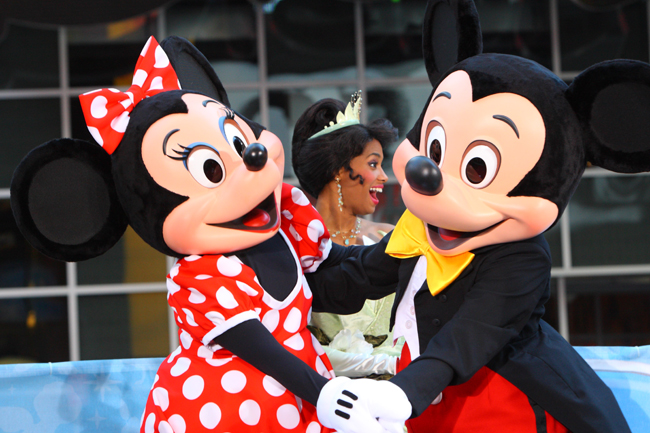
x: 489, y: 166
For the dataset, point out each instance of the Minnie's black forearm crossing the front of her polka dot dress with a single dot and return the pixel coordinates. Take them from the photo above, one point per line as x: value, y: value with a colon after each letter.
x: 253, y: 343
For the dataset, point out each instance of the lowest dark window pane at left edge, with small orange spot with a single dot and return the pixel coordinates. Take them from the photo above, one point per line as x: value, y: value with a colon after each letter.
x: 34, y: 330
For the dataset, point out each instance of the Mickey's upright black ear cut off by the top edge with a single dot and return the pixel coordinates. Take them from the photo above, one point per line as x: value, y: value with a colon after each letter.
x: 451, y: 32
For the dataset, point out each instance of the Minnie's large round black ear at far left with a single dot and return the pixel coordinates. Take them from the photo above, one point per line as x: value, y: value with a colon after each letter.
x: 64, y: 200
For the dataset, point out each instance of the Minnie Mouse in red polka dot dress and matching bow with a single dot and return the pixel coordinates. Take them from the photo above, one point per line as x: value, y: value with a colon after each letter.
x: 201, y: 183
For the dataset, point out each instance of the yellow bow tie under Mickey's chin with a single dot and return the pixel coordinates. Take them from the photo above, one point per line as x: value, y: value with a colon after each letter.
x: 409, y: 239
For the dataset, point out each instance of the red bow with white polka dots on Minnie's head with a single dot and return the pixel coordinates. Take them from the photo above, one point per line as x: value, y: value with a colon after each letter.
x: 107, y: 110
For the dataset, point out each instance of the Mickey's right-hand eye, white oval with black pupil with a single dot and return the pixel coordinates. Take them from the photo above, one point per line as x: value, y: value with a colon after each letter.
x: 480, y: 164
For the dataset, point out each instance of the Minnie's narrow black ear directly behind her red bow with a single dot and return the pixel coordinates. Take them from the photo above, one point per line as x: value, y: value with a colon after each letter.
x: 193, y: 69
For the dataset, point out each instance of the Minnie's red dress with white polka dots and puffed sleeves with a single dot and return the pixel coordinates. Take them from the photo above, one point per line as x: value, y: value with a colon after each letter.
x: 202, y: 387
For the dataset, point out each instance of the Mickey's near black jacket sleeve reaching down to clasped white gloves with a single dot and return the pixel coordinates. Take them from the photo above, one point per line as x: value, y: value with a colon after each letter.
x: 508, y: 287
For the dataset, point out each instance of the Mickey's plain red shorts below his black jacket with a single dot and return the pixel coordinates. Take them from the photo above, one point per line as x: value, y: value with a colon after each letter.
x: 487, y: 403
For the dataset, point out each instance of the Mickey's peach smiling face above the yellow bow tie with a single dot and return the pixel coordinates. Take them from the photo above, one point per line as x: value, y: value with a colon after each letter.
x: 483, y: 148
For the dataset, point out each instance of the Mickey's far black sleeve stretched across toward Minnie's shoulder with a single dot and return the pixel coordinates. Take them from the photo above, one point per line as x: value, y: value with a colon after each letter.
x: 350, y: 275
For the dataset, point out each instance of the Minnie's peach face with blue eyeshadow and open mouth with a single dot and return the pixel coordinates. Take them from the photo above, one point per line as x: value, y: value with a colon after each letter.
x: 200, y: 155
